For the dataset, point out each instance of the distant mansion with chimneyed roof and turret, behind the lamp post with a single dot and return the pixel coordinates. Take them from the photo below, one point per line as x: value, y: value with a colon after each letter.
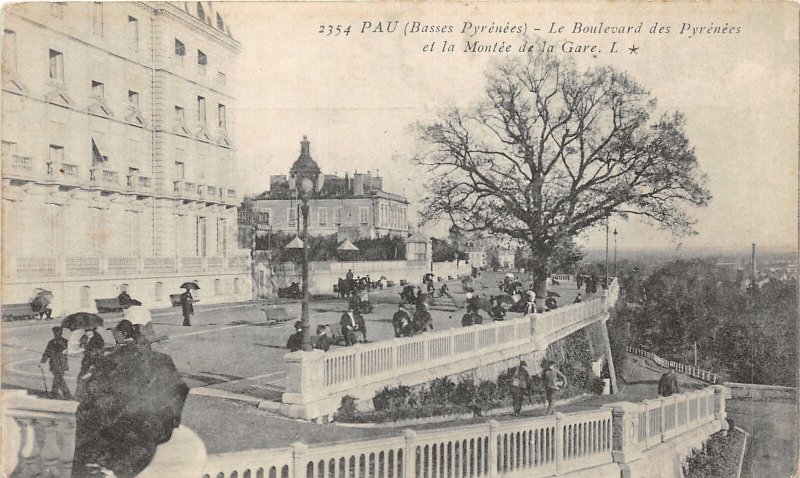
x: 353, y: 208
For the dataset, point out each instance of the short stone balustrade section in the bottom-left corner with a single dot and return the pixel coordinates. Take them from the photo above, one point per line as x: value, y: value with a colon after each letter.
x: 38, y: 435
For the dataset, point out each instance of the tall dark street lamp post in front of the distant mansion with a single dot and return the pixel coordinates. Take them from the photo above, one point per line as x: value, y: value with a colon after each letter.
x: 305, y: 178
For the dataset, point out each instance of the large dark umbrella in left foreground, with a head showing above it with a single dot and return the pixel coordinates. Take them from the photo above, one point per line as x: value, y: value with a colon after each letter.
x: 134, y: 400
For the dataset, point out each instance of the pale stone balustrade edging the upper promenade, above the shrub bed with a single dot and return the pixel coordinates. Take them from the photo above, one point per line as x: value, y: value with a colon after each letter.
x: 316, y: 380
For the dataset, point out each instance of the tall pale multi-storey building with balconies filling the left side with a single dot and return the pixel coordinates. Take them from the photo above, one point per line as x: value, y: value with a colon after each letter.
x: 118, y: 154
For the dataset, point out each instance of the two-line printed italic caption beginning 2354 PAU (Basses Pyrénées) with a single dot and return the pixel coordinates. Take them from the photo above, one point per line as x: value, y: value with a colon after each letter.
x: 498, y: 37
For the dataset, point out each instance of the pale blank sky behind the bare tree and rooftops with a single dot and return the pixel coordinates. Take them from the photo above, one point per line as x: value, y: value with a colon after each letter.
x: 356, y: 95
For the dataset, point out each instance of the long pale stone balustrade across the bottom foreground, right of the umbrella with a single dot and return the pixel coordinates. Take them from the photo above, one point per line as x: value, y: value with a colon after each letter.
x: 600, y: 442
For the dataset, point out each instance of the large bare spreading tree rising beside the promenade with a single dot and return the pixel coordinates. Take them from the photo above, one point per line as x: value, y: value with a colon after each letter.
x: 551, y: 150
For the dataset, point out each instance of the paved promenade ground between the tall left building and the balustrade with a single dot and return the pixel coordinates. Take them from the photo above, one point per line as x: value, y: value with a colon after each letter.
x: 229, y: 348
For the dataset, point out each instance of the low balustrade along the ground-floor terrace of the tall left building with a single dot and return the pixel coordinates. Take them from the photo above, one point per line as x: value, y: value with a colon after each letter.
x: 127, y: 266
